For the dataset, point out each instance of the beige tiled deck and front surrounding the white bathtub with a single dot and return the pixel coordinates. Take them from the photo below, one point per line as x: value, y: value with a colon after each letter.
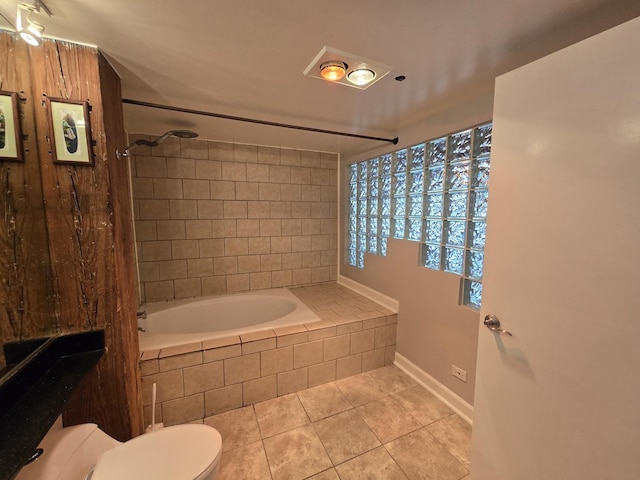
x: 201, y: 379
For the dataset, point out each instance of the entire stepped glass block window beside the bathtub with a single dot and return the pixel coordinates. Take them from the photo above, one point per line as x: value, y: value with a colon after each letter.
x: 435, y: 193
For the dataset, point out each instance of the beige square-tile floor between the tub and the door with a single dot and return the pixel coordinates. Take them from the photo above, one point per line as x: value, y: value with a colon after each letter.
x: 375, y: 425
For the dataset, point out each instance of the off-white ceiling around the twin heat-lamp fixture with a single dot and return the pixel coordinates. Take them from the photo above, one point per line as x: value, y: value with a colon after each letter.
x: 246, y: 57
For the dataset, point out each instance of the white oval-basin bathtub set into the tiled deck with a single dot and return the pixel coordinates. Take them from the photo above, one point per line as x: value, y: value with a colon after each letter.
x: 187, y: 321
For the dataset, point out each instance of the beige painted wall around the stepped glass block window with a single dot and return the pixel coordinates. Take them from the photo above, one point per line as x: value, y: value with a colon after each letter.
x: 434, y: 331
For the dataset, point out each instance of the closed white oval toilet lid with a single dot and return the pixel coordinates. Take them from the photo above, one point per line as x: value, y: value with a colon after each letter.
x: 182, y: 452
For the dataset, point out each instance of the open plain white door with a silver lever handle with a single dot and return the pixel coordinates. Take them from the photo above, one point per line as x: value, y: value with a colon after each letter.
x: 560, y: 399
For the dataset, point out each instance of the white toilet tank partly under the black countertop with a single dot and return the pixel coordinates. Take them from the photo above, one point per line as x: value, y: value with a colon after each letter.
x: 69, y: 453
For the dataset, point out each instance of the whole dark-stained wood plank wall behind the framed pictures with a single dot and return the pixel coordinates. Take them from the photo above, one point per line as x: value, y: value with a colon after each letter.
x: 86, y: 281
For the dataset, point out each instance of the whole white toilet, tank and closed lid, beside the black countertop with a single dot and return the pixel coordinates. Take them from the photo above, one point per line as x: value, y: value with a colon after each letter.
x: 84, y: 452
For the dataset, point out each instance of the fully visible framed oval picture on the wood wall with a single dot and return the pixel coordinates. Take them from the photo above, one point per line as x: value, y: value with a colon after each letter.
x: 70, y: 131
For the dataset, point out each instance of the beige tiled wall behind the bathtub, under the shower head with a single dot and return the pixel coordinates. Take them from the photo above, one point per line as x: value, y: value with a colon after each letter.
x: 215, y: 217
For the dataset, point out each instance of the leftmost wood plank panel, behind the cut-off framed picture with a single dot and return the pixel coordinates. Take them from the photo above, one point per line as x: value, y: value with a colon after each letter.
x: 26, y: 293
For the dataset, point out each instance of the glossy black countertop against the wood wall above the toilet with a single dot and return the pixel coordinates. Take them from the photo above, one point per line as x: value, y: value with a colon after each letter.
x: 39, y: 379
